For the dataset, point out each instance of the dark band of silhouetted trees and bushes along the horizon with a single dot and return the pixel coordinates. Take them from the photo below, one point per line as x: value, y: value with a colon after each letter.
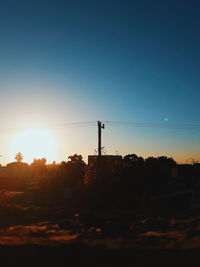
x: 132, y: 183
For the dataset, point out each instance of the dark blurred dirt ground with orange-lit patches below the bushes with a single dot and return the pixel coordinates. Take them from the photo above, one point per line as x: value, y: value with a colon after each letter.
x: 40, y: 235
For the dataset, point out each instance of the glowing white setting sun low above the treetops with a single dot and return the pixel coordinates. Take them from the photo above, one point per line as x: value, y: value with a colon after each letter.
x: 34, y: 143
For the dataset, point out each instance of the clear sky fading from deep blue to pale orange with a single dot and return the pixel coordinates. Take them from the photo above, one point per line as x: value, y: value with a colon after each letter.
x: 78, y: 61
